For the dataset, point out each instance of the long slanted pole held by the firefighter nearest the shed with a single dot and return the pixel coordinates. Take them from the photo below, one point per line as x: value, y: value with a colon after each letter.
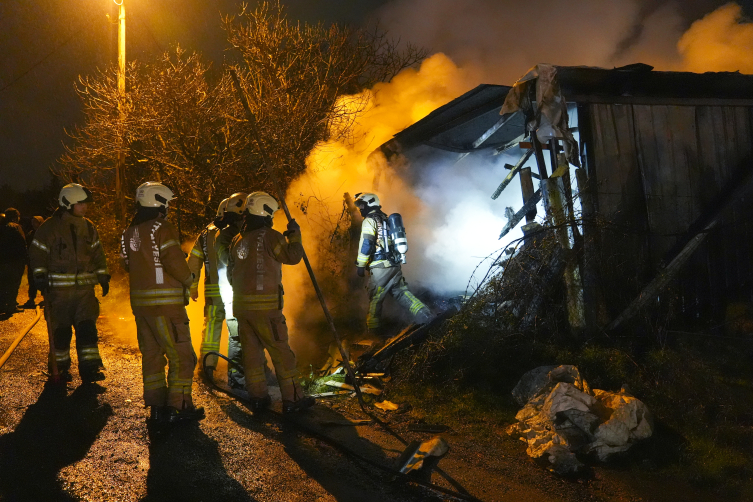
x: 281, y: 195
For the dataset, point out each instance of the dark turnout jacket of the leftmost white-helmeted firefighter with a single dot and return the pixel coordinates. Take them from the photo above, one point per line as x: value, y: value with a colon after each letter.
x: 67, y: 249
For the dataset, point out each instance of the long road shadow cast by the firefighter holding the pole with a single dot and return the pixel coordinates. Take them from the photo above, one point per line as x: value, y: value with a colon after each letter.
x: 344, y: 478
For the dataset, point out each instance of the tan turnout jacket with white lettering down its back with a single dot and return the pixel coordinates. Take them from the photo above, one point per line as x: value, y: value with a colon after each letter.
x: 160, y: 277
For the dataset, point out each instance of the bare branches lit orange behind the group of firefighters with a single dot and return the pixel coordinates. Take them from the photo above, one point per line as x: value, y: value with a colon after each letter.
x: 185, y: 125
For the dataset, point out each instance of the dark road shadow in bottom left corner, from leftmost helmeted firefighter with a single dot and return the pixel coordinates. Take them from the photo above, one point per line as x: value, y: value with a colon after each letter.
x: 56, y: 431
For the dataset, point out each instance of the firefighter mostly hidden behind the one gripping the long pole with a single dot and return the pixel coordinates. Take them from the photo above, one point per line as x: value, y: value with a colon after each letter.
x: 218, y: 298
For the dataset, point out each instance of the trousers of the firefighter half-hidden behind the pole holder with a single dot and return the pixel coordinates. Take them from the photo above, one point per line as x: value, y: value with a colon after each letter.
x: 211, y: 334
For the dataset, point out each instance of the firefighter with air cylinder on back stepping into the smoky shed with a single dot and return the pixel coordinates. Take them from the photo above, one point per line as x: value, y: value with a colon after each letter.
x: 385, y: 274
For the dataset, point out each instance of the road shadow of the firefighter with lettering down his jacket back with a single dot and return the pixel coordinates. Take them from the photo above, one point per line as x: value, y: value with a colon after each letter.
x: 185, y: 465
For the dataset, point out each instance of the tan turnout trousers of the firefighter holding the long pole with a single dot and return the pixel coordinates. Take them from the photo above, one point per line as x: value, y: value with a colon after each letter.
x: 267, y: 329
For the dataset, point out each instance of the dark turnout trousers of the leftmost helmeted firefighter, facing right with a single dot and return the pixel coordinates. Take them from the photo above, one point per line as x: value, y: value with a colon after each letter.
x: 68, y: 308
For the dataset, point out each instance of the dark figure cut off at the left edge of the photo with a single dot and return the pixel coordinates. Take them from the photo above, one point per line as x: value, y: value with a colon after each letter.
x: 13, y: 258
